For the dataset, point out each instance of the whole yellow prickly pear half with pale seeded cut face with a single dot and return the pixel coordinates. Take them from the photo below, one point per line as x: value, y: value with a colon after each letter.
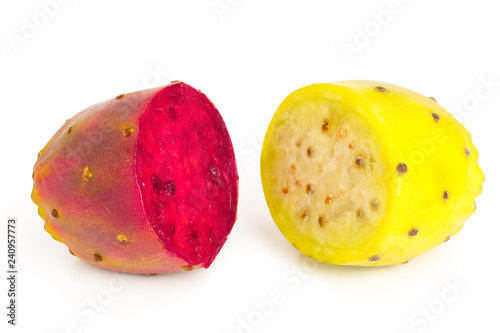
x: 367, y: 173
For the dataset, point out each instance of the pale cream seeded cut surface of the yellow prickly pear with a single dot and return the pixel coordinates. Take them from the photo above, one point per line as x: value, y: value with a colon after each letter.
x: 328, y: 173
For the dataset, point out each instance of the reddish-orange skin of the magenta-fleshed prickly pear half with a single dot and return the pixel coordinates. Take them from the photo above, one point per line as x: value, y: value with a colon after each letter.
x: 87, y: 189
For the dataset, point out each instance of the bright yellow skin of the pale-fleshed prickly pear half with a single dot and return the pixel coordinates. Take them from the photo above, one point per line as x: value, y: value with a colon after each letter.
x: 436, y: 194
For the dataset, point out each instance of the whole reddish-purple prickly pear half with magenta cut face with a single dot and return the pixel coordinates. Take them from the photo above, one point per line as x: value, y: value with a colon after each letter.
x: 145, y: 182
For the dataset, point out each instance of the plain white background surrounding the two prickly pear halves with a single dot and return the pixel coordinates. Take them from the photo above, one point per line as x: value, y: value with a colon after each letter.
x: 247, y: 59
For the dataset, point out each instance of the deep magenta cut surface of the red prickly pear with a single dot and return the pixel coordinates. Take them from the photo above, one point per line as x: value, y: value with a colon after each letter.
x: 183, y: 172
